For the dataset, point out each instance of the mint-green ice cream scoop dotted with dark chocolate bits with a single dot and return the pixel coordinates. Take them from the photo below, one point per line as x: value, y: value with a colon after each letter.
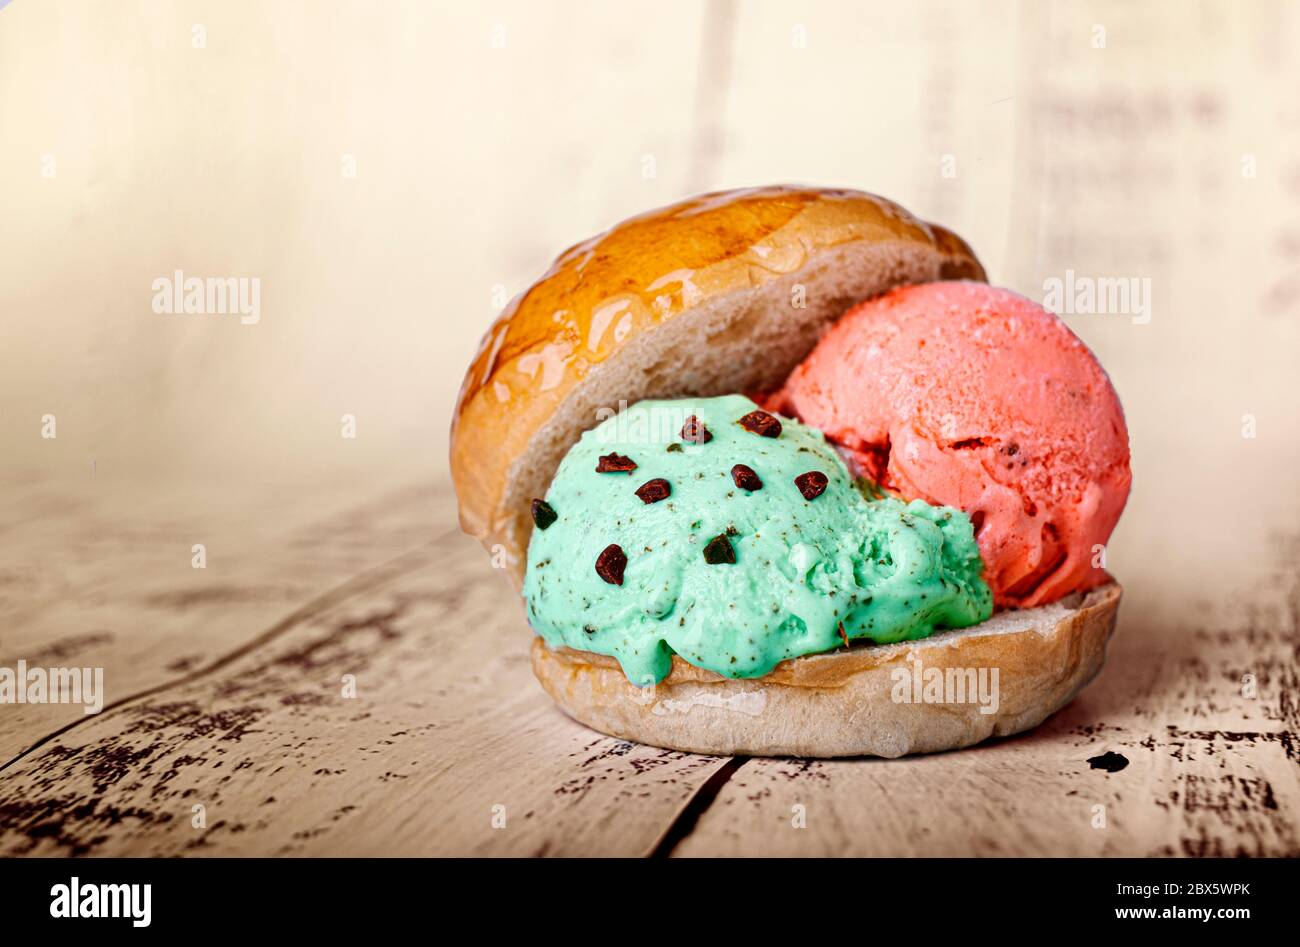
x: 712, y: 530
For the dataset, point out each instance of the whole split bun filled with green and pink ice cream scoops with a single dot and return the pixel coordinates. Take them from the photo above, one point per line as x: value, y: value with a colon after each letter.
x: 775, y: 473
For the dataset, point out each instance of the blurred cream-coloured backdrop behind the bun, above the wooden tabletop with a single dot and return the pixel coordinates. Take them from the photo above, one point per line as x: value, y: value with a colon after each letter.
x: 395, y: 172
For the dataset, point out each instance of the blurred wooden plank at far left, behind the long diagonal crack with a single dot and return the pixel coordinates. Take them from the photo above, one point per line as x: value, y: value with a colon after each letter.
x: 101, y: 574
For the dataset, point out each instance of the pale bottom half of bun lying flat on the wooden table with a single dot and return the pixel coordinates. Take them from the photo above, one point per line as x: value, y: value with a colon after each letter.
x: 943, y: 693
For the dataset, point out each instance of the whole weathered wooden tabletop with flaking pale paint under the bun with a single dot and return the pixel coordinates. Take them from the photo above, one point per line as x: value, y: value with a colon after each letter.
x: 226, y: 700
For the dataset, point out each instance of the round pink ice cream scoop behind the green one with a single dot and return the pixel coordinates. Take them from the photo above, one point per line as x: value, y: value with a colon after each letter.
x: 976, y: 397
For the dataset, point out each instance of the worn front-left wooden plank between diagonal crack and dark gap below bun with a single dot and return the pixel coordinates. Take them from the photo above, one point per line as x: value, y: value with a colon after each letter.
x: 447, y: 725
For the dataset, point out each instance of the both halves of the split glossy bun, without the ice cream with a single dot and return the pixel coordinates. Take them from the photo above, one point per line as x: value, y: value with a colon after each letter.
x: 722, y: 295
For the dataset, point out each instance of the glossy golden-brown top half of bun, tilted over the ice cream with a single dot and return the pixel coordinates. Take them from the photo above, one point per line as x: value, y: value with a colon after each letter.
x: 723, y: 293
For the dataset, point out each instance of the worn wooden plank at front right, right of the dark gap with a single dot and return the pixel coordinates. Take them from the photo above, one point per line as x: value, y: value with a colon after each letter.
x: 1208, y: 772
